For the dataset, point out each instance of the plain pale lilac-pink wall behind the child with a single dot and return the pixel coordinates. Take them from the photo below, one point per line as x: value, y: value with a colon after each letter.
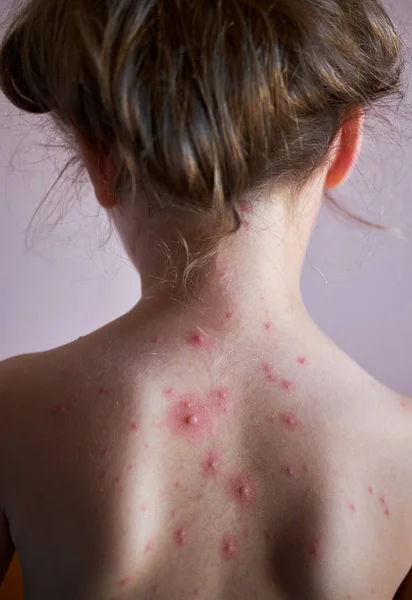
x: 357, y: 282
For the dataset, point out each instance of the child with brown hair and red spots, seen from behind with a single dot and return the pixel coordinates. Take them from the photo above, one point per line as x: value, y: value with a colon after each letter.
x: 212, y: 443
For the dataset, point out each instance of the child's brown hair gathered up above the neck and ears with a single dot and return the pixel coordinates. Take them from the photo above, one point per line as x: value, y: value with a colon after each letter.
x: 202, y: 101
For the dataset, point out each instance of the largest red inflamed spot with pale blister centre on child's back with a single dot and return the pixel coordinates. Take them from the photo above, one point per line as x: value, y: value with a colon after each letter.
x: 190, y: 418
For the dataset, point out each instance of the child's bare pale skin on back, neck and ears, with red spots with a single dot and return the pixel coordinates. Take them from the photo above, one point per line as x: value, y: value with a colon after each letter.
x: 222, y: 448
